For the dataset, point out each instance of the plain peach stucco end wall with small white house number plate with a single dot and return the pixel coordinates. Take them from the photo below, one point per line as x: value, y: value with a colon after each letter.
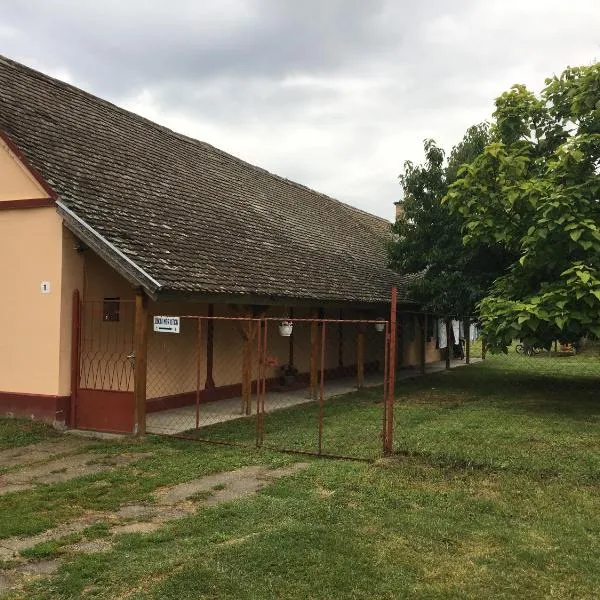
x: 35, y: 337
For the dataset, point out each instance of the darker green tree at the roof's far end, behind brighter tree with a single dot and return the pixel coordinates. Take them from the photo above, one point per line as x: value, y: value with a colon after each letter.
x: 428, y: 238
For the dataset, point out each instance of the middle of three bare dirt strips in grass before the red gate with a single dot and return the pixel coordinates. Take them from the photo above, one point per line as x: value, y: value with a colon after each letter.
x: 61, y: 469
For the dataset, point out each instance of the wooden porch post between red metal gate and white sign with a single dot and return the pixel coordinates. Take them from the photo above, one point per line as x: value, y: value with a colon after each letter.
x: 141, y: 361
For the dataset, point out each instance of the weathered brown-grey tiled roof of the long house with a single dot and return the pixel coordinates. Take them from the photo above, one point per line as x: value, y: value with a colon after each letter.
x: 196, y: 219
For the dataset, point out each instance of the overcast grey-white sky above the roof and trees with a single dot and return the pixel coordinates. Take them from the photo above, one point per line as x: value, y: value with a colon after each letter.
x: 334, y: 94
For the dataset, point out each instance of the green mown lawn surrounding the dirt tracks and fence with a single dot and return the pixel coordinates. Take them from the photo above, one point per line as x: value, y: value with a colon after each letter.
x: 493, y: 493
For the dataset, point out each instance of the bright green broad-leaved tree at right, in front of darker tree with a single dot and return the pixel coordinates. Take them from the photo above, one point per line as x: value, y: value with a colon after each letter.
x: 535, y: 191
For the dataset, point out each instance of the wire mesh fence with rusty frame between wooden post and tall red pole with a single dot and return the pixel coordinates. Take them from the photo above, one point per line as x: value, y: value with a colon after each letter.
x: 305, y: 385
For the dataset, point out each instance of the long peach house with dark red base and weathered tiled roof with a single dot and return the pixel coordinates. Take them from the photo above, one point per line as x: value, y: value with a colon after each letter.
x: 106, y: 217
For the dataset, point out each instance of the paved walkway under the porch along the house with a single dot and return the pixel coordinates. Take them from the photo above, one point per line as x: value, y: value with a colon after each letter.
x: 178, y: 420
